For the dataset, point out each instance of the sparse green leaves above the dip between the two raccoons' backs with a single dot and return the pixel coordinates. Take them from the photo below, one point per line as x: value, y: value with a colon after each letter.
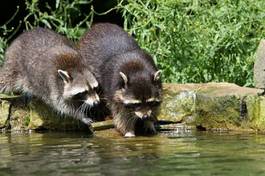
x: 59, y: 18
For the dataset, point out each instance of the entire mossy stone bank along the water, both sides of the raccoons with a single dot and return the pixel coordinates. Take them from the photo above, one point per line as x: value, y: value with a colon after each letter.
x: 212, y: 106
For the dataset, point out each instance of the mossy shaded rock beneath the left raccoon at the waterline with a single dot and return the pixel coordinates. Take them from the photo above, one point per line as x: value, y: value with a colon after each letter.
x: 36, y: 116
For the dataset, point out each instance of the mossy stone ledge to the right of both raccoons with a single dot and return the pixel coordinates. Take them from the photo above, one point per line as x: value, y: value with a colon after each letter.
x: 214, y: 106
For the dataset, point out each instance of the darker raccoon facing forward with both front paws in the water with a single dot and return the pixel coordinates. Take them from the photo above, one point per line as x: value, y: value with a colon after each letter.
x: 127, y: 75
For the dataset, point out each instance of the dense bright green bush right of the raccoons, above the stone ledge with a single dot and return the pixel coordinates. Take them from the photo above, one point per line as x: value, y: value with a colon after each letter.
x: 199, y: 41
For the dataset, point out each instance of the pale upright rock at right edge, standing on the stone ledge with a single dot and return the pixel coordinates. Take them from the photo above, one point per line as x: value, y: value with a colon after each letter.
x: 259, y: 67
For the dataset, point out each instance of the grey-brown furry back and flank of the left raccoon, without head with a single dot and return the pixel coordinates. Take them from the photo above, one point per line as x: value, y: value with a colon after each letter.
x: 30, y: 62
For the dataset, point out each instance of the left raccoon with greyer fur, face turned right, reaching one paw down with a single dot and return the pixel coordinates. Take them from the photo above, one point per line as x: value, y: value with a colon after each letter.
x: 47, y: 66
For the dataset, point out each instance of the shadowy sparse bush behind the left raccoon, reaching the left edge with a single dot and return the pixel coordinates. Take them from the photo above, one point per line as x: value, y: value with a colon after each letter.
x: 63, y: 16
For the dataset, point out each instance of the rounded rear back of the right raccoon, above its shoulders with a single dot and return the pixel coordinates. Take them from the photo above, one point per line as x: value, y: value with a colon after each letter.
x: 103, y: 41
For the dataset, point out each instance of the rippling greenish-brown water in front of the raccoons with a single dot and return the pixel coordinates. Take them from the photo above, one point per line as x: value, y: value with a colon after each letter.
x: 193, y: 153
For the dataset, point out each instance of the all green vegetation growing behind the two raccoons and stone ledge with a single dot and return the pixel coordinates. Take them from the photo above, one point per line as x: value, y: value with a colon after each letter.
x: 191, y: 40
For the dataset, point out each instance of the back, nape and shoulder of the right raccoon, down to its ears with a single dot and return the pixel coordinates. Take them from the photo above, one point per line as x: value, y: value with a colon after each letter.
x: 109, y: 50
